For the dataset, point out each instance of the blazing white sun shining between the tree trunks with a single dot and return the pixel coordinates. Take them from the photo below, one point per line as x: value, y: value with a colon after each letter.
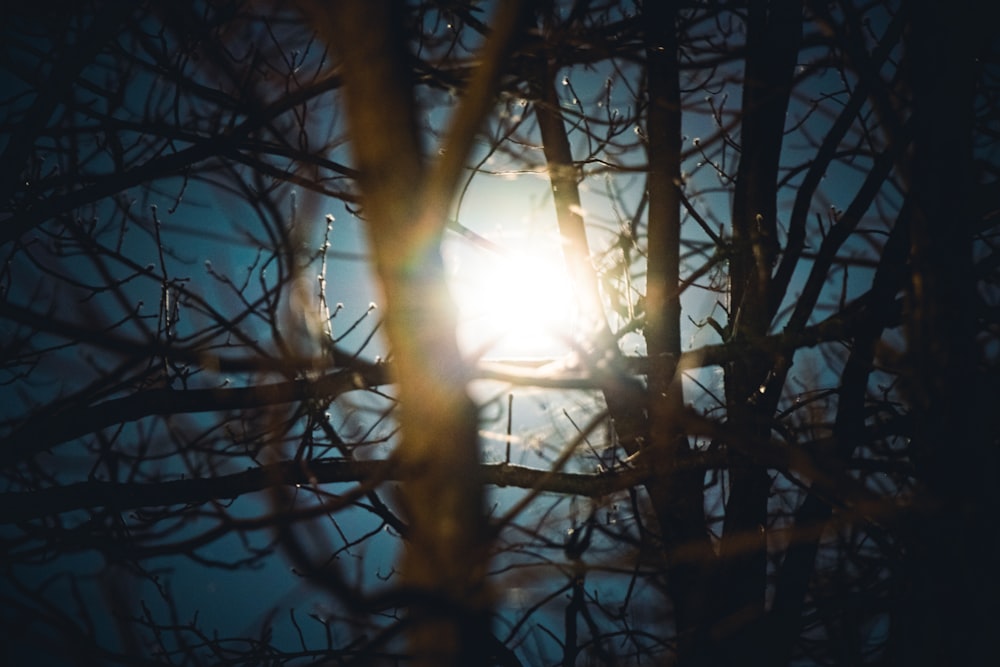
x: 514, y: 300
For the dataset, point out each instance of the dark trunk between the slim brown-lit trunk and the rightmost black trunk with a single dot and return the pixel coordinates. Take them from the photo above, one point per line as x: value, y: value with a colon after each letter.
x: 773, y: 32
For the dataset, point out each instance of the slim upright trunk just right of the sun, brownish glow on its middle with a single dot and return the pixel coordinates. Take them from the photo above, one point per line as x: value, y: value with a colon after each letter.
x: 680, y: 506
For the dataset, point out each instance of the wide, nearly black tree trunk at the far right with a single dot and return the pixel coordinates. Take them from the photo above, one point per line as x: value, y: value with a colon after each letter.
x: 951, y: 573
